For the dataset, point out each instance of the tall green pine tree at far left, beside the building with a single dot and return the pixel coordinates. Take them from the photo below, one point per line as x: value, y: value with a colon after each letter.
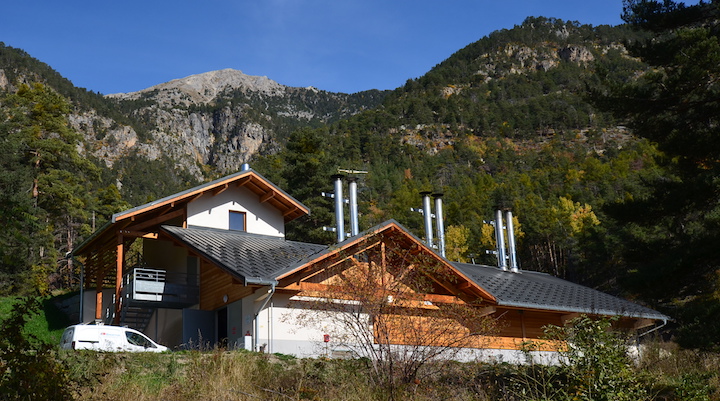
x: 45, y: 187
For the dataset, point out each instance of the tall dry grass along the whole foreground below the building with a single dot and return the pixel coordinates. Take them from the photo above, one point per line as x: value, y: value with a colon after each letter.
x: 677, y: 375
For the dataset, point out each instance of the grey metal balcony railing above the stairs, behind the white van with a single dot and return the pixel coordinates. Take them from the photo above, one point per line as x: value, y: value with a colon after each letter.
x: 171, y: 290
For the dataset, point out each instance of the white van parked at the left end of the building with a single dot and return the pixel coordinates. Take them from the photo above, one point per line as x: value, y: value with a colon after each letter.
x: 100, y: 337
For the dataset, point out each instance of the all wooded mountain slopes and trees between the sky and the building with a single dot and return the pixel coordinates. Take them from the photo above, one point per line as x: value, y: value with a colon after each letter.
x: 542, y: 118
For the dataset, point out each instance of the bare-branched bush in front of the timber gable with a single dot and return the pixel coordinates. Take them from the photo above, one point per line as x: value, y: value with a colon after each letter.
x: 394, y: 306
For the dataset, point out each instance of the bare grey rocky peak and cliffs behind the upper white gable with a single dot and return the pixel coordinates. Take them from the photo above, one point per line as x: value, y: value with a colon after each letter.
x: 218, y: 119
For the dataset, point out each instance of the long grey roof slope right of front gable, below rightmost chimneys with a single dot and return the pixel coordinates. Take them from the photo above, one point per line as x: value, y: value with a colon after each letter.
x: 528, y: 289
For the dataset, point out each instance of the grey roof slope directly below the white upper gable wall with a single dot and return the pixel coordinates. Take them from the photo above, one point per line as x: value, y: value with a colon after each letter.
x: 250, y: 256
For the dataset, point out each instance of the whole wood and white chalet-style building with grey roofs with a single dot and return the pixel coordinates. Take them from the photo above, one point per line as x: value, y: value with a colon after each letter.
x: 212, y: 265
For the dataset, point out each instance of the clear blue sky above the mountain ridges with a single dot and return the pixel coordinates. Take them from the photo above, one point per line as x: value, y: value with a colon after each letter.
x: 334, y: 45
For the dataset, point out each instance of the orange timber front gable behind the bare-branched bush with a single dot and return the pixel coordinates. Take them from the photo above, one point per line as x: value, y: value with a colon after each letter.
x: 410, y: 294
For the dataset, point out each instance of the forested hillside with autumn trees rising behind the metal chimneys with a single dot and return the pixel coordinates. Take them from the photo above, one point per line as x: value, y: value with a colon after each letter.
x: 504, y: 122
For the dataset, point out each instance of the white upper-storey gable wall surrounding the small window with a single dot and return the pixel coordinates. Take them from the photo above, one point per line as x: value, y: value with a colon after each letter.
x: 213, y: 212
